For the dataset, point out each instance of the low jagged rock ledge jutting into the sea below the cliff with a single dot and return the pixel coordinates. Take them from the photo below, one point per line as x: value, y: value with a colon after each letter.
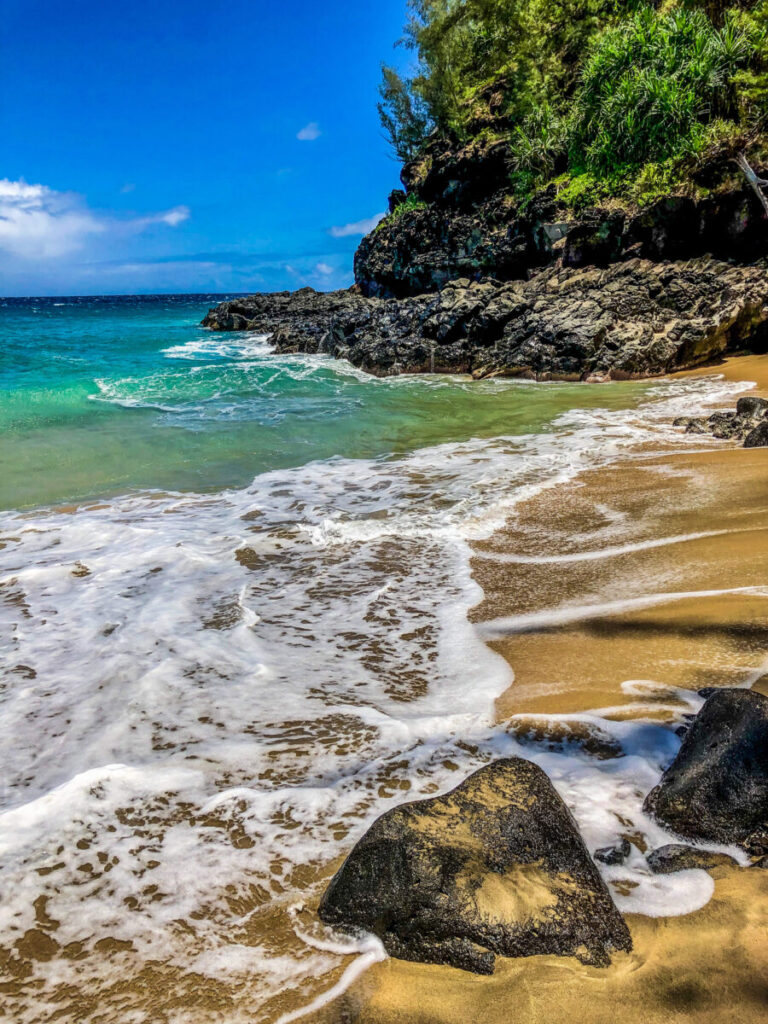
x: 629, y: 320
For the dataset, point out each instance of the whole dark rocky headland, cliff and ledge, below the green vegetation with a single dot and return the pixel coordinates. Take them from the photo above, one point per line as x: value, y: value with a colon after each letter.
x: 462, y: 279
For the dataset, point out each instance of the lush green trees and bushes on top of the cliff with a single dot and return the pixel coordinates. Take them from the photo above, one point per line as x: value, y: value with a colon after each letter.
x: 604, y: 97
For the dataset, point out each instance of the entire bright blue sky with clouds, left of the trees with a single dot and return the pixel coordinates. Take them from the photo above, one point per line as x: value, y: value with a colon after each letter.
x: 190, y: 146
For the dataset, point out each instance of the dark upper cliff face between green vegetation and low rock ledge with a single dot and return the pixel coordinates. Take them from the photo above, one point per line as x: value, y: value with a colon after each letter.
x: 466, y: 225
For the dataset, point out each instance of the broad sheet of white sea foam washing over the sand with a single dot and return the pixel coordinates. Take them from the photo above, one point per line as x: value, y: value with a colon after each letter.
x: 207, y: 693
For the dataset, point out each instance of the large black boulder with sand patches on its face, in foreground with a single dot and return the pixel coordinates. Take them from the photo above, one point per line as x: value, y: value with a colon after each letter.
x: 495, y: 867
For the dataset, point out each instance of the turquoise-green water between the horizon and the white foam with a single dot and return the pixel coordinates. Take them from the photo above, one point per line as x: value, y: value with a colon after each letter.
x: 102, y: 396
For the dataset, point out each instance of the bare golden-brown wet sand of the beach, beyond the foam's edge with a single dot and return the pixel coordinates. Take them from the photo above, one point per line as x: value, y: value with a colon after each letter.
x: 593, y: 588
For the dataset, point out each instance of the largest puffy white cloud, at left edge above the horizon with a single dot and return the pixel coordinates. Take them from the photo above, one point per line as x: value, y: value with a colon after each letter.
x: 38, y: 223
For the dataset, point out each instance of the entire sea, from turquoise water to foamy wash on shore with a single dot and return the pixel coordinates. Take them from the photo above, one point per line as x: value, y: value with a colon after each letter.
x: 235, y: 591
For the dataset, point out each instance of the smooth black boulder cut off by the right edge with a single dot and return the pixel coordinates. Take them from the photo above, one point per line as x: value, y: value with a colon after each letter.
x: 717, y: 788
